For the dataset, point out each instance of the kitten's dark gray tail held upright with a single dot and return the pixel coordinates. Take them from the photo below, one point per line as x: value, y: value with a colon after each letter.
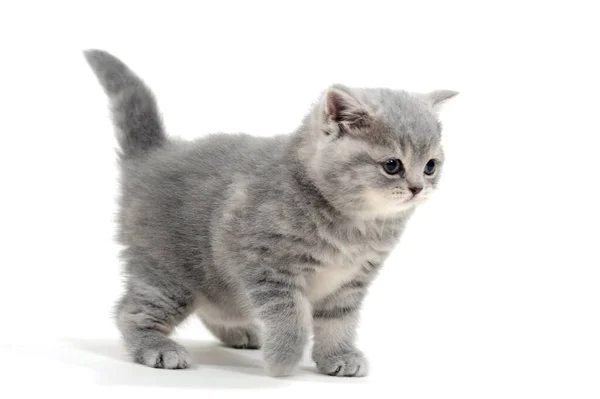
x: 135, y: 114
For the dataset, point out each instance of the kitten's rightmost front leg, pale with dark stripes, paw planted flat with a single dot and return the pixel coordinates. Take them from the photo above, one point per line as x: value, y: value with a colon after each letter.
x: 335, y: 322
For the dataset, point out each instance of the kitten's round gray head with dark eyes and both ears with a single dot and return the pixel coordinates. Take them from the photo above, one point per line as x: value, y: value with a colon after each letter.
x: 375, y: 152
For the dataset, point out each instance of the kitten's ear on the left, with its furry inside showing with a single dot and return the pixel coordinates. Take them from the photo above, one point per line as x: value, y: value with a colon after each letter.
x: 343, y: 108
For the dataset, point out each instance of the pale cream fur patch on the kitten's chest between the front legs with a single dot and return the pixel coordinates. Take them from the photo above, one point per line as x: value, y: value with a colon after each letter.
x: 328, y: 279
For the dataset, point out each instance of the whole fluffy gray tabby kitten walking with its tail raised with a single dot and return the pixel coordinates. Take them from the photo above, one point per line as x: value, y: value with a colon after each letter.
x: 267, y: 240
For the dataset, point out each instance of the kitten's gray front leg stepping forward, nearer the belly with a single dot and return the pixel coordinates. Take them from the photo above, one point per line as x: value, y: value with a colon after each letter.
x: 284, y: 313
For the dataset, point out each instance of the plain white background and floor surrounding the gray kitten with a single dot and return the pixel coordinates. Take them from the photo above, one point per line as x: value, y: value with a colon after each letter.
x: 494, y: 289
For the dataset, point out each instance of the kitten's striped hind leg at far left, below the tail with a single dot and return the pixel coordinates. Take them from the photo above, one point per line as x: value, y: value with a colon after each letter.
x: 146, y: 315
